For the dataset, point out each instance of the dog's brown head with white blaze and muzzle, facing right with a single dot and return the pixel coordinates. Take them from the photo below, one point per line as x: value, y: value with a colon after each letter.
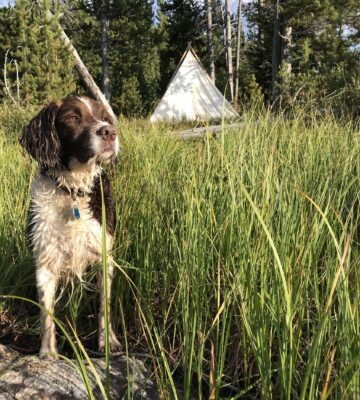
x: 76, y: 129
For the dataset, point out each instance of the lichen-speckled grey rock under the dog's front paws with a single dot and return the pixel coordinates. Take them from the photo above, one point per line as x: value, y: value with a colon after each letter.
x: 30, y: 378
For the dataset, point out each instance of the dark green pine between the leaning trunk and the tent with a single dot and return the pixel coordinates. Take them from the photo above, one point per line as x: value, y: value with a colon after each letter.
x: 134, y: 57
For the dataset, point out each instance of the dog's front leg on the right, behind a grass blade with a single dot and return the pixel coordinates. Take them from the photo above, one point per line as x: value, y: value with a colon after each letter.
x: 114, y: 344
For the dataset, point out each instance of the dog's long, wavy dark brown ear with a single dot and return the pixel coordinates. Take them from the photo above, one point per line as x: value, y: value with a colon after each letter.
x: 40, y: 138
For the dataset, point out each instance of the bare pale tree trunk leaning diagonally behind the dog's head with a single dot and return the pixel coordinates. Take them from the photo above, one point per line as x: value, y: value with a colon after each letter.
x: 83, y: 71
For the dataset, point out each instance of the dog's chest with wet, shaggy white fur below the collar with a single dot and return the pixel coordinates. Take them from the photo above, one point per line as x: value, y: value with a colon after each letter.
x: 62, y: 243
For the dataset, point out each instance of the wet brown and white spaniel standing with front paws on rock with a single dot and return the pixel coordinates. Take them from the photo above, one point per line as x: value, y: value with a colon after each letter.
x: 70, y: 139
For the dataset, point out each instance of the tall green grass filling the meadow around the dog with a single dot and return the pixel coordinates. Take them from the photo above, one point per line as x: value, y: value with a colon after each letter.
x: 238, y: 259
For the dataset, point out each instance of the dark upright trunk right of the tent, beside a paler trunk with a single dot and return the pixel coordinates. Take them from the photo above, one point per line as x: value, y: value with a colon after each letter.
x: 276, y: 52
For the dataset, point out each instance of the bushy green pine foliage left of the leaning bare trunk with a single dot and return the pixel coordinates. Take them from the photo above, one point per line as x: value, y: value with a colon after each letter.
x: 45, y: 67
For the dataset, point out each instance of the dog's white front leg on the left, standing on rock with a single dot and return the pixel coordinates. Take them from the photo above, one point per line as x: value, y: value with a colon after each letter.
x: 46, y: 286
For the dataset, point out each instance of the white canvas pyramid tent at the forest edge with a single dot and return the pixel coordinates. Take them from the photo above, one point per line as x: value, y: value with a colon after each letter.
x: 191, y: 94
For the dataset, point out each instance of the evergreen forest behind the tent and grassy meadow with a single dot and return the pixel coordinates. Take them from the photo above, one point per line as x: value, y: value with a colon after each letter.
x: 281, y: 53
